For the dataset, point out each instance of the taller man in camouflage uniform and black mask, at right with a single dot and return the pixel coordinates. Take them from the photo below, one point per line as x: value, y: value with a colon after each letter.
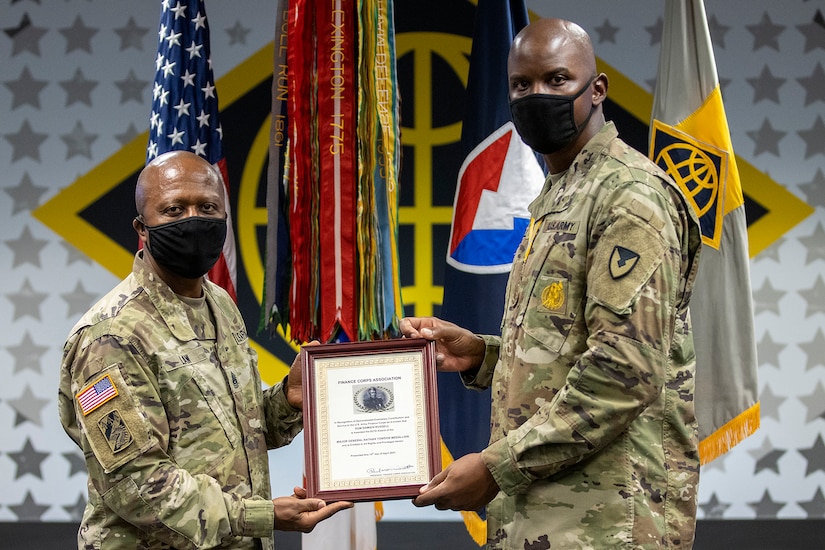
x: 593, y: 435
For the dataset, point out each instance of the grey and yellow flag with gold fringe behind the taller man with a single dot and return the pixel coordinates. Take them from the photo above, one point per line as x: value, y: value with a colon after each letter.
x: 690, y: 139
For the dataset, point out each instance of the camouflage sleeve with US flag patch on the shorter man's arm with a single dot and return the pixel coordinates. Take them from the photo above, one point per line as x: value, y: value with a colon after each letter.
x: 125, y: 439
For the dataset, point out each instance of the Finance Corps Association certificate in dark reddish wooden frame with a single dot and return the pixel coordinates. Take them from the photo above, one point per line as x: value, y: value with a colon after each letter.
x: 370, y: 419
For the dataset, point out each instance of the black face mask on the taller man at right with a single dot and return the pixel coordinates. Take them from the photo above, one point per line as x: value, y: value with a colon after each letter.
x: 546, y: 122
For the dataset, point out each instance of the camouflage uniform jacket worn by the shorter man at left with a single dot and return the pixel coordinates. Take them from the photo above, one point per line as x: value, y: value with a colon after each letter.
x: 171, y: 417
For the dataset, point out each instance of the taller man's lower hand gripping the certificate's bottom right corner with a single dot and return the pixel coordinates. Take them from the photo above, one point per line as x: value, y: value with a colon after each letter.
x: 466, y: 484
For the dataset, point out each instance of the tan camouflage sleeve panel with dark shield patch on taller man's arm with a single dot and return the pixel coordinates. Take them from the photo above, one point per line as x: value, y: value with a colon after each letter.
x: 625, y: 257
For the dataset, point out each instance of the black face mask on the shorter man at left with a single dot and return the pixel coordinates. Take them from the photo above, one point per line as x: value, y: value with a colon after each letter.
x: 188, y: 247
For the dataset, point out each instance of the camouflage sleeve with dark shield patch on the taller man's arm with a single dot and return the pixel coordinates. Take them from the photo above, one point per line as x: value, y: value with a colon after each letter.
x: 634, y: 264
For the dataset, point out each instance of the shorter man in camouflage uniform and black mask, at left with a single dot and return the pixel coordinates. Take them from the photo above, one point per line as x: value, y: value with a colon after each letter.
x: 160, y: 389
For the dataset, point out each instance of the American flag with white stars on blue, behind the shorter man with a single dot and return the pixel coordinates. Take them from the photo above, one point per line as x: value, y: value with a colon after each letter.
x: 185, y: 106
